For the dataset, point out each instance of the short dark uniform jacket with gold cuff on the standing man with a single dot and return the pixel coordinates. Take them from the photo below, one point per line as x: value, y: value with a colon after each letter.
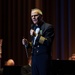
x: 44, y: 40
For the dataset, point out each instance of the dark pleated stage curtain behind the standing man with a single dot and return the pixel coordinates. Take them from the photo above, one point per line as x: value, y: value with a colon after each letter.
x: 15, y: 24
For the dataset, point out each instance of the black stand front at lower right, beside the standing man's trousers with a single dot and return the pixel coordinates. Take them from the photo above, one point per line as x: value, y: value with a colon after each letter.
x: 63, y: 67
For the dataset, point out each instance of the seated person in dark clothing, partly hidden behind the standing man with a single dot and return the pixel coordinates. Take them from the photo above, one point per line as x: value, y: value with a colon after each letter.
x: 26, y: 70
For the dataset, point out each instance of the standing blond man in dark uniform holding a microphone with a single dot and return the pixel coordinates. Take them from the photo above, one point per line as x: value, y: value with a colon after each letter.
x: 42, y: 35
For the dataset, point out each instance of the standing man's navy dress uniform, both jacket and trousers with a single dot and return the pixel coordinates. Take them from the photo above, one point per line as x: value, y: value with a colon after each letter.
x: 41, y: 50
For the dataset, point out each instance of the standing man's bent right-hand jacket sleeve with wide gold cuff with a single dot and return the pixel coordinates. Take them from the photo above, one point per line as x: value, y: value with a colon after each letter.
x: 48, y: 37
